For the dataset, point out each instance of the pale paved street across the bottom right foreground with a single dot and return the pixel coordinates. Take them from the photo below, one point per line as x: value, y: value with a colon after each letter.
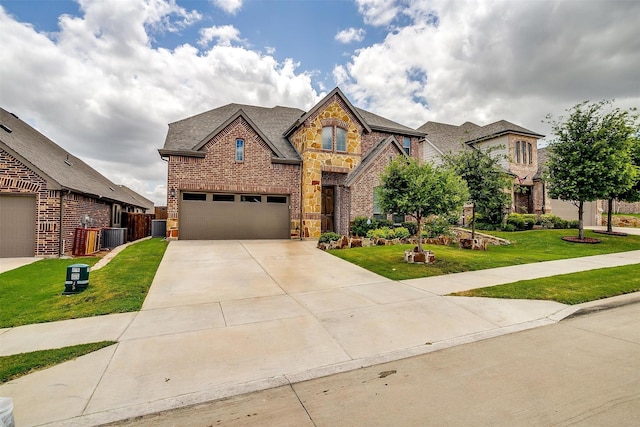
x: 584, y: 370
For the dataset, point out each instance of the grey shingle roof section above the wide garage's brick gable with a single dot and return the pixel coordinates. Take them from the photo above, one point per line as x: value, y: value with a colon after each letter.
x: 187, y: 136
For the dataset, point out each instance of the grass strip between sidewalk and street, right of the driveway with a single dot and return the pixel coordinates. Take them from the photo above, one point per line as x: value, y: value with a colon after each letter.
x: 571, y: 289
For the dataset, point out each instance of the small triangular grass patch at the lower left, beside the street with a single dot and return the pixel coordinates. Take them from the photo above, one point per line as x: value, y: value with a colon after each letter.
x: 17, y: 365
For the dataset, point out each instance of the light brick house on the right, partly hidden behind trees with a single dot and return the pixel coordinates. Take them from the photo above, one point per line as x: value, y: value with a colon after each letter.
x: 517, y: 145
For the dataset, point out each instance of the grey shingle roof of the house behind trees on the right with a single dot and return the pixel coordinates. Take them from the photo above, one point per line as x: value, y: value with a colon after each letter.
x: 451, y: 138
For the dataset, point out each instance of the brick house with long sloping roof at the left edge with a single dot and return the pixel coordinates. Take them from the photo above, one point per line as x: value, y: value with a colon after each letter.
x: 46, y: 192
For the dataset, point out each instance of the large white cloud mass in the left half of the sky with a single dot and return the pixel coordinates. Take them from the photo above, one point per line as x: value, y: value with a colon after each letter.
x: 100, y: 90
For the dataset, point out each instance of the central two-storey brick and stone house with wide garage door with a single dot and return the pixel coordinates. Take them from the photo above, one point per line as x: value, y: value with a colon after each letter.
x: 243, y: 171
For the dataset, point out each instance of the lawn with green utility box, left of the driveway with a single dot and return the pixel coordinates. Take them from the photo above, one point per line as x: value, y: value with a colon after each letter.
x: 32, y: 294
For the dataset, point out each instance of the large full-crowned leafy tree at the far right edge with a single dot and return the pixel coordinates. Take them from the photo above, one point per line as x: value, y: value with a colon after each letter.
x: 590, y: 158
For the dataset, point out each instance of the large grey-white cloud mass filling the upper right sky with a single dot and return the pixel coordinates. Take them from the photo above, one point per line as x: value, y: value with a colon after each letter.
x: 487, y: 60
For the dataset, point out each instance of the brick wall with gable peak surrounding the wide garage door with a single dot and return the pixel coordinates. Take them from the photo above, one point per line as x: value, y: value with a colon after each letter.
x: 219, y: 171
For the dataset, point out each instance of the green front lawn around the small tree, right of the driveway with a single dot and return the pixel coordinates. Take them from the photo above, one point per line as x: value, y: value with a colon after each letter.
x: 527, y: 247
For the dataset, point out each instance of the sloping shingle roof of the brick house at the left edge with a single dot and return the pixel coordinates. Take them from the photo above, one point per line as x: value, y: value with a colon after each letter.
x: 61, y: 169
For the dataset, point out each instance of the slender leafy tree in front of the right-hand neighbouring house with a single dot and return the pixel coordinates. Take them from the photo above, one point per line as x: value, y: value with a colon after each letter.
x: 487, y: 181
